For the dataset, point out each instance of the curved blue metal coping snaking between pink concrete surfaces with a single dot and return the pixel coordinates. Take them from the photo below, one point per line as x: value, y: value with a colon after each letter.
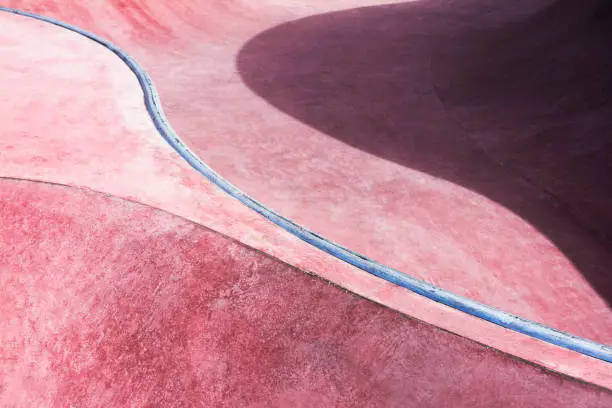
x: 472, y: 307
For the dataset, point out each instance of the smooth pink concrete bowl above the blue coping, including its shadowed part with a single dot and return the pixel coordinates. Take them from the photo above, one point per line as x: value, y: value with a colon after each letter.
x: 370, y: 157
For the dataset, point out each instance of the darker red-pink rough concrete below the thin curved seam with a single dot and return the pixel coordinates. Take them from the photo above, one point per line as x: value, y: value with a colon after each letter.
x: 109, y: 303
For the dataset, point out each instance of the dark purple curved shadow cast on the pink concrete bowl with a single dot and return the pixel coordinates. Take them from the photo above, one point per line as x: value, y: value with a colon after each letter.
x: 517, y: 111
